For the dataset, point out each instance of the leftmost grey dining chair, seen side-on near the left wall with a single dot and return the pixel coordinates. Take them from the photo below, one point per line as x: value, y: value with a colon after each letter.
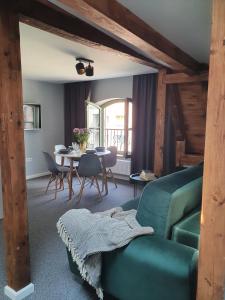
x: 58, y: 173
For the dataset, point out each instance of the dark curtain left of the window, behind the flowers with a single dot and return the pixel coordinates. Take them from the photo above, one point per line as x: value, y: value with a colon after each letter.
x: 75, y: 95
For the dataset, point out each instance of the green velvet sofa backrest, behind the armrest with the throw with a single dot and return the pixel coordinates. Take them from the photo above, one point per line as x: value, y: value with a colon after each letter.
x: 168, y: 199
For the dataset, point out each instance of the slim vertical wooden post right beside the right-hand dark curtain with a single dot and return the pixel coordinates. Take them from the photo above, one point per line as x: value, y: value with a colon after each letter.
x: 160, y: 123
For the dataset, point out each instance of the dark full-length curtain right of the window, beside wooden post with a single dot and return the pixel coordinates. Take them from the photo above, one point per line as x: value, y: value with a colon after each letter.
x: 144, y: 112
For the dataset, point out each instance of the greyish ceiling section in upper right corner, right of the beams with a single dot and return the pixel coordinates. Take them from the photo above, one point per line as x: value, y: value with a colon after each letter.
x: 186, y: 23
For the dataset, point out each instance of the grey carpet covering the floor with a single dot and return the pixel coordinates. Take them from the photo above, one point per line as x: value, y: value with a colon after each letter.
x: 49, y: 267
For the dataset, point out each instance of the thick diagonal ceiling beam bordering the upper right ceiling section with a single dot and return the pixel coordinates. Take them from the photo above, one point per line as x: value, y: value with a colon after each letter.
x: 113, y: 17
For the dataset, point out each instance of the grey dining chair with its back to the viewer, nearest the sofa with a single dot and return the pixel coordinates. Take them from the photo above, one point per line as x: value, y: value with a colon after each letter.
x: 89, y: 167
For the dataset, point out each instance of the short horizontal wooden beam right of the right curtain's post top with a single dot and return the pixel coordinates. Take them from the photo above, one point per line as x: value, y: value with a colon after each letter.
x: 177, y: 78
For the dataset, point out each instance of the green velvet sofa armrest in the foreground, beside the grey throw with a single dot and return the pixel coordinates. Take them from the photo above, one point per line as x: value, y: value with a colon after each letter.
x: 151, y: 268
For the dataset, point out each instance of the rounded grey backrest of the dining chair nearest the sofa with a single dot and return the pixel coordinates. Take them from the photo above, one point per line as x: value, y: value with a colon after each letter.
x: 89, y: 165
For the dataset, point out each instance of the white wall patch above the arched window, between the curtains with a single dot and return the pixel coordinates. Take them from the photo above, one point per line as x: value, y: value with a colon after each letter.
x: 112, y: 88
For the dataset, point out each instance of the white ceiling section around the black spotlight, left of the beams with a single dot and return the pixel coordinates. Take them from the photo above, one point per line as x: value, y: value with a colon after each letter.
x: 48, y: 57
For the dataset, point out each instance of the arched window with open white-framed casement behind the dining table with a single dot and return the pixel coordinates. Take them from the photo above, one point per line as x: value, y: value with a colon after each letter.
x: 111, y: 125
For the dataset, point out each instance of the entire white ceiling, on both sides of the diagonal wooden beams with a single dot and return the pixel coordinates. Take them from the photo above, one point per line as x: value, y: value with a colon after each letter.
x: 186, y: 23
